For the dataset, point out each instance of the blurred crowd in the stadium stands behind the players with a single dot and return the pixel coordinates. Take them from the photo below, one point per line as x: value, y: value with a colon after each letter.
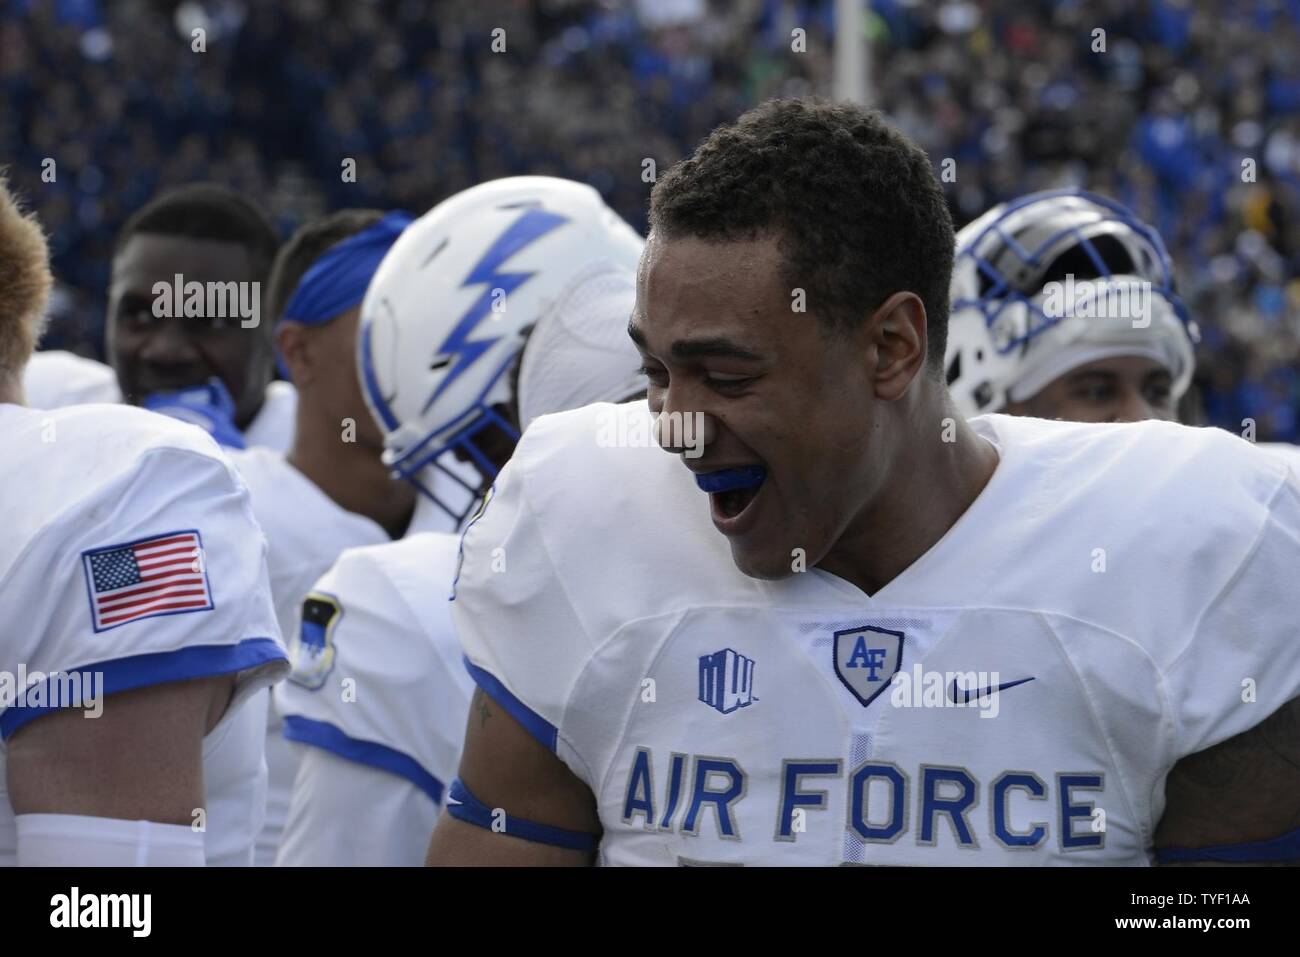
x: 411, y: 90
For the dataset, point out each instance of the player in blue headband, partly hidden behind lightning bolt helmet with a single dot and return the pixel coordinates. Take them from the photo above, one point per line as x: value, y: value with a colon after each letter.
x: 331, y: 491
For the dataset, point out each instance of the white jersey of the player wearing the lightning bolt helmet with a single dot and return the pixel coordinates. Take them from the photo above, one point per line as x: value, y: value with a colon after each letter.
x: 378, y: 704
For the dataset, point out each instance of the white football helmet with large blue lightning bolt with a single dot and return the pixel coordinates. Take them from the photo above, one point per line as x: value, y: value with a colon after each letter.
x: 448, y: 313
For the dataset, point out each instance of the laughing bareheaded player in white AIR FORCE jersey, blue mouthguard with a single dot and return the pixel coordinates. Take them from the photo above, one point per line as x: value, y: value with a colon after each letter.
x: 905, y: 639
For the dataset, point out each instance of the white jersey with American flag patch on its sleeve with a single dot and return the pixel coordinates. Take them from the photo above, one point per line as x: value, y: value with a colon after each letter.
x: 133, y: 558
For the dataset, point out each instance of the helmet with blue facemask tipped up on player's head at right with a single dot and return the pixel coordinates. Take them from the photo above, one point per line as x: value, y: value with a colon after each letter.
x: 1035, y: 291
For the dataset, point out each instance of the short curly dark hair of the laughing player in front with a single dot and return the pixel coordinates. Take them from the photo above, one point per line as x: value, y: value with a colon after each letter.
x: 855, y: 205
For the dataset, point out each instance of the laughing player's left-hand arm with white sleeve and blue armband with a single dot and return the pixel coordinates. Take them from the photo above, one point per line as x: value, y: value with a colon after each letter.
x: 523, y: 795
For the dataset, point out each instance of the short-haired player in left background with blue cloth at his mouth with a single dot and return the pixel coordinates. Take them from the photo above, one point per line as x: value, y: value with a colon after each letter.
x: 187, y: 335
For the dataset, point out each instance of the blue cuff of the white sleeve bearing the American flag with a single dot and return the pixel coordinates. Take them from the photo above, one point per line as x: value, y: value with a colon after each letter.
x: 140, y: 672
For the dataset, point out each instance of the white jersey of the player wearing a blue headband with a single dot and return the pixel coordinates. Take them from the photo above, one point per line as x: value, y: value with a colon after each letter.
x: 306, y: 531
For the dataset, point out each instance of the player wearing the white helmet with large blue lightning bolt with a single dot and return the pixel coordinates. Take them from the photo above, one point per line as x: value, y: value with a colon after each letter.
x: 379, y: 696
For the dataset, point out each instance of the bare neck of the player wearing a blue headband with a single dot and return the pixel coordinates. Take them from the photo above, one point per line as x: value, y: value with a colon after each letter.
x: 350, y: 474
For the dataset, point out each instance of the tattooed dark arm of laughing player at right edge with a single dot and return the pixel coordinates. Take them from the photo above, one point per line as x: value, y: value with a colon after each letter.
x: 1242, y: 794
